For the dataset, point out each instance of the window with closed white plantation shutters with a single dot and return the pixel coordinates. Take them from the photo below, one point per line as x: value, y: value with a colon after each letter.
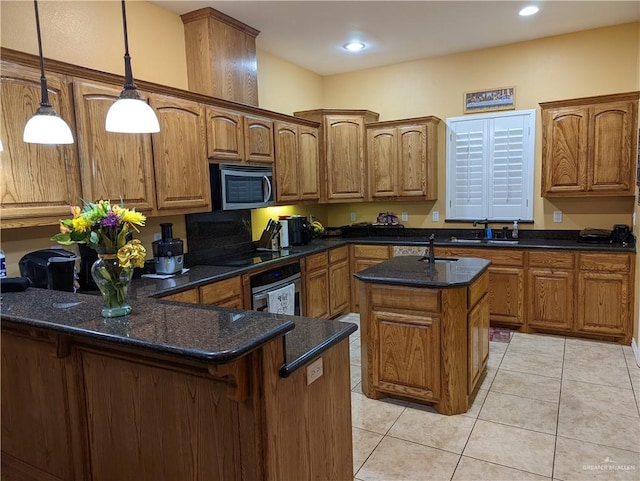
x: 490, y: 166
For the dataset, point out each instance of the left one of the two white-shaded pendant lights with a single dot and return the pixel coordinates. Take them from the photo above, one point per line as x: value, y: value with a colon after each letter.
x: 45, y: 127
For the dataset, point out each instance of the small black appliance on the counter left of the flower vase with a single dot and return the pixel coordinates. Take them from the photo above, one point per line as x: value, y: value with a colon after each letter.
x: 50, y: 269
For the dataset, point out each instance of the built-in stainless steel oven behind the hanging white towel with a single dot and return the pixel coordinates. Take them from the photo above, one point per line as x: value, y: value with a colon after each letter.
x: 273, y: 279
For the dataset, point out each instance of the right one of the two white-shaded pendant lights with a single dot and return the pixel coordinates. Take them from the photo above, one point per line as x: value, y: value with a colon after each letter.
x: 130, y: 114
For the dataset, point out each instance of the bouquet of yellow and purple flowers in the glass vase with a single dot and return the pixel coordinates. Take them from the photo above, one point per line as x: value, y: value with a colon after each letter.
x: 105, y: 227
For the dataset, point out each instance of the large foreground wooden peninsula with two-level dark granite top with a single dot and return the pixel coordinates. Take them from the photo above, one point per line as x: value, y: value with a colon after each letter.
x: 171, y: 391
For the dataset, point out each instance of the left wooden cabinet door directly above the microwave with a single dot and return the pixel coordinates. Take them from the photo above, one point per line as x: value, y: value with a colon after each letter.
x: 225, y: 139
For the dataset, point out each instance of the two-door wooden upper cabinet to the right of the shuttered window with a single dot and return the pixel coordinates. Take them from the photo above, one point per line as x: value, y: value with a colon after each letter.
x: 589, y: 146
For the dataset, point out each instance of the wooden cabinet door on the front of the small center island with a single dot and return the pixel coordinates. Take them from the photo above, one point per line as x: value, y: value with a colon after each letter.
x: 407, y: 354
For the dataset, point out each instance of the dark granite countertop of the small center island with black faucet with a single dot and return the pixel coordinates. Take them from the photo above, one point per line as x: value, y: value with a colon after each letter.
x: 415, y: 271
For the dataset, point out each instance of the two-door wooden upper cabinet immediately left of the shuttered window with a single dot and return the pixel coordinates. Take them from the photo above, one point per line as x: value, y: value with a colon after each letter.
x: 402, y: 159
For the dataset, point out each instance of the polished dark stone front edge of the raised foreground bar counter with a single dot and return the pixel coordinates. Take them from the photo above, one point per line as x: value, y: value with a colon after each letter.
x: 219, y: 357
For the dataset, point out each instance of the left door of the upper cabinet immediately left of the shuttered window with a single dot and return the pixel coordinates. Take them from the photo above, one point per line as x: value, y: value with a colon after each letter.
x: 382, y: 156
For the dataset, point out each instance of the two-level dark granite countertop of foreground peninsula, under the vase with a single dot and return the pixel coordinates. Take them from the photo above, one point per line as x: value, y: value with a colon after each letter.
x: 198, y: 332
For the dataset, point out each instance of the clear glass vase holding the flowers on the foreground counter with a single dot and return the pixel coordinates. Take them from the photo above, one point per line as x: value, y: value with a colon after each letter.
x: 113, y: 282
